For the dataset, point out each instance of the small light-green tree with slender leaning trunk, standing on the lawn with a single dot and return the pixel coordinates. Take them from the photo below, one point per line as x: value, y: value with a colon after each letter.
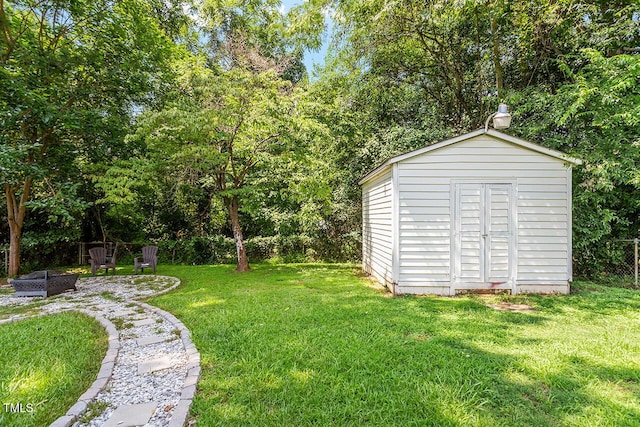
x: 220, y: 127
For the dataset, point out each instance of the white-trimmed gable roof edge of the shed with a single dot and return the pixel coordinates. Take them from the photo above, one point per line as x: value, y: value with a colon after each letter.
x: 498, y: 135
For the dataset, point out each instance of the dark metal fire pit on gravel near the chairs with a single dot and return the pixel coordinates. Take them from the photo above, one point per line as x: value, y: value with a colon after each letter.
x: 43, y: 283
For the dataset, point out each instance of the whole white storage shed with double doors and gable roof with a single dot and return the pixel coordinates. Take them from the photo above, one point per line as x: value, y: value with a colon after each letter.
x: 482, y: 211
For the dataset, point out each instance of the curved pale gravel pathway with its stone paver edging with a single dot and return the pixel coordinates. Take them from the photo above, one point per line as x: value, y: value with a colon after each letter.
x: 149, y: 374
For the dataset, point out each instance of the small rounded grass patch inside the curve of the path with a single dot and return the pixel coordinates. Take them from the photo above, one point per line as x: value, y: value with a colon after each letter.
x: 46, y: 363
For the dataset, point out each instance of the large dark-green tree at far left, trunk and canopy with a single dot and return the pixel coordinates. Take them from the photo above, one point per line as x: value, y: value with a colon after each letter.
x: 70, y: 73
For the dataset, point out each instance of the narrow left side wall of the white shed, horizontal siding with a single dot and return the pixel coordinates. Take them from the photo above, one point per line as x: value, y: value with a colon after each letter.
x: 377, y: 224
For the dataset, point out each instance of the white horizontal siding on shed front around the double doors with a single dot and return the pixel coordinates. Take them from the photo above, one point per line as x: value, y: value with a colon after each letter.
x: 425, y: 222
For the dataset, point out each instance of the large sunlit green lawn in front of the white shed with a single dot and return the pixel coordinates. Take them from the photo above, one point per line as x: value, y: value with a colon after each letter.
x: 315, y: 345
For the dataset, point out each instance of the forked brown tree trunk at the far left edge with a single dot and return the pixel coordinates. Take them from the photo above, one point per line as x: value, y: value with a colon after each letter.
x: 16, y: 211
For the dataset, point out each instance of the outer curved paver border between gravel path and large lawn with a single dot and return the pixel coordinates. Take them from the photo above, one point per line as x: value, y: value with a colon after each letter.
x: 181, y: 411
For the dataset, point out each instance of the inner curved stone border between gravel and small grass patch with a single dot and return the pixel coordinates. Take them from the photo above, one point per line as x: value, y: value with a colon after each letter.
x: 104, y: 374
